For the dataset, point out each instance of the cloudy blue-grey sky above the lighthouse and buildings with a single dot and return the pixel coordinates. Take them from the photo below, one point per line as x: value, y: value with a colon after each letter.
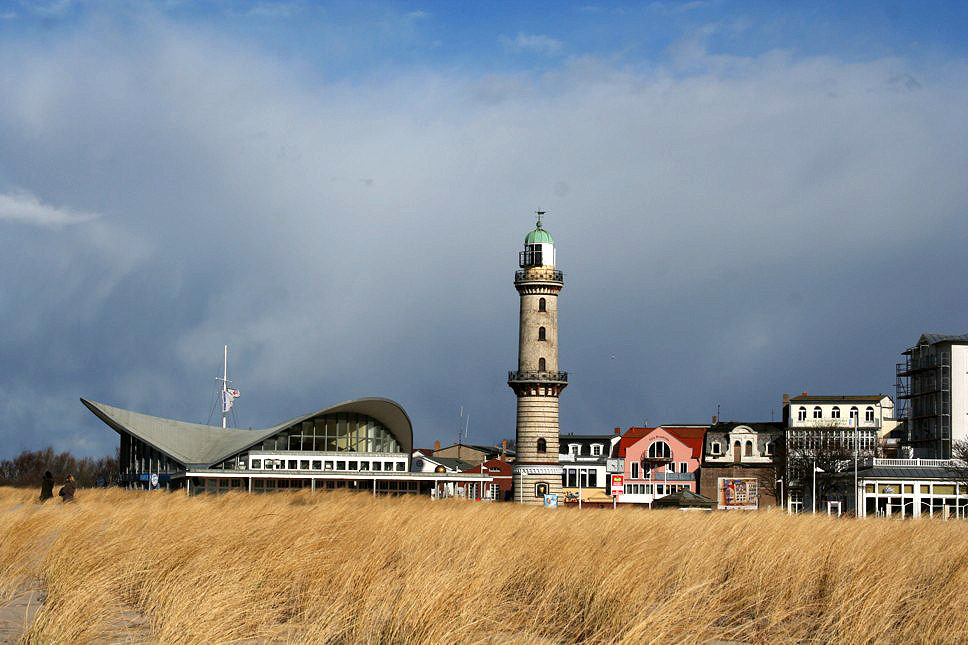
x: 748, y: 199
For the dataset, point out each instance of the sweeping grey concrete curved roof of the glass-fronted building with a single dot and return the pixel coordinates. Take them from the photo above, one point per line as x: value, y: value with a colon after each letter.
x: 198, y: 444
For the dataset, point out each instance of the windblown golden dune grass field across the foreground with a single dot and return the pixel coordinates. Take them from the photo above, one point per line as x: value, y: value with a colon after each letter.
x: 344, y: 568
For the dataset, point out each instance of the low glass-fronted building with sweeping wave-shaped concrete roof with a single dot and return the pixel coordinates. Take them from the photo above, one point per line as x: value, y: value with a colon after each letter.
x: 363, y: 444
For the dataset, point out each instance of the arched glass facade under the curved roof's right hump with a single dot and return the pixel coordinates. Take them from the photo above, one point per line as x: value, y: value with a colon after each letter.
x: 335, y: 433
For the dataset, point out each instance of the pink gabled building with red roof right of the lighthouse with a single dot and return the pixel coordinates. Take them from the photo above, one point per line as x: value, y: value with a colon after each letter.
x: 662, y: 461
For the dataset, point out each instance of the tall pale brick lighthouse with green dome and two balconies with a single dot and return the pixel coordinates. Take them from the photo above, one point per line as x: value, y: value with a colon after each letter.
x: 537, y: 381
